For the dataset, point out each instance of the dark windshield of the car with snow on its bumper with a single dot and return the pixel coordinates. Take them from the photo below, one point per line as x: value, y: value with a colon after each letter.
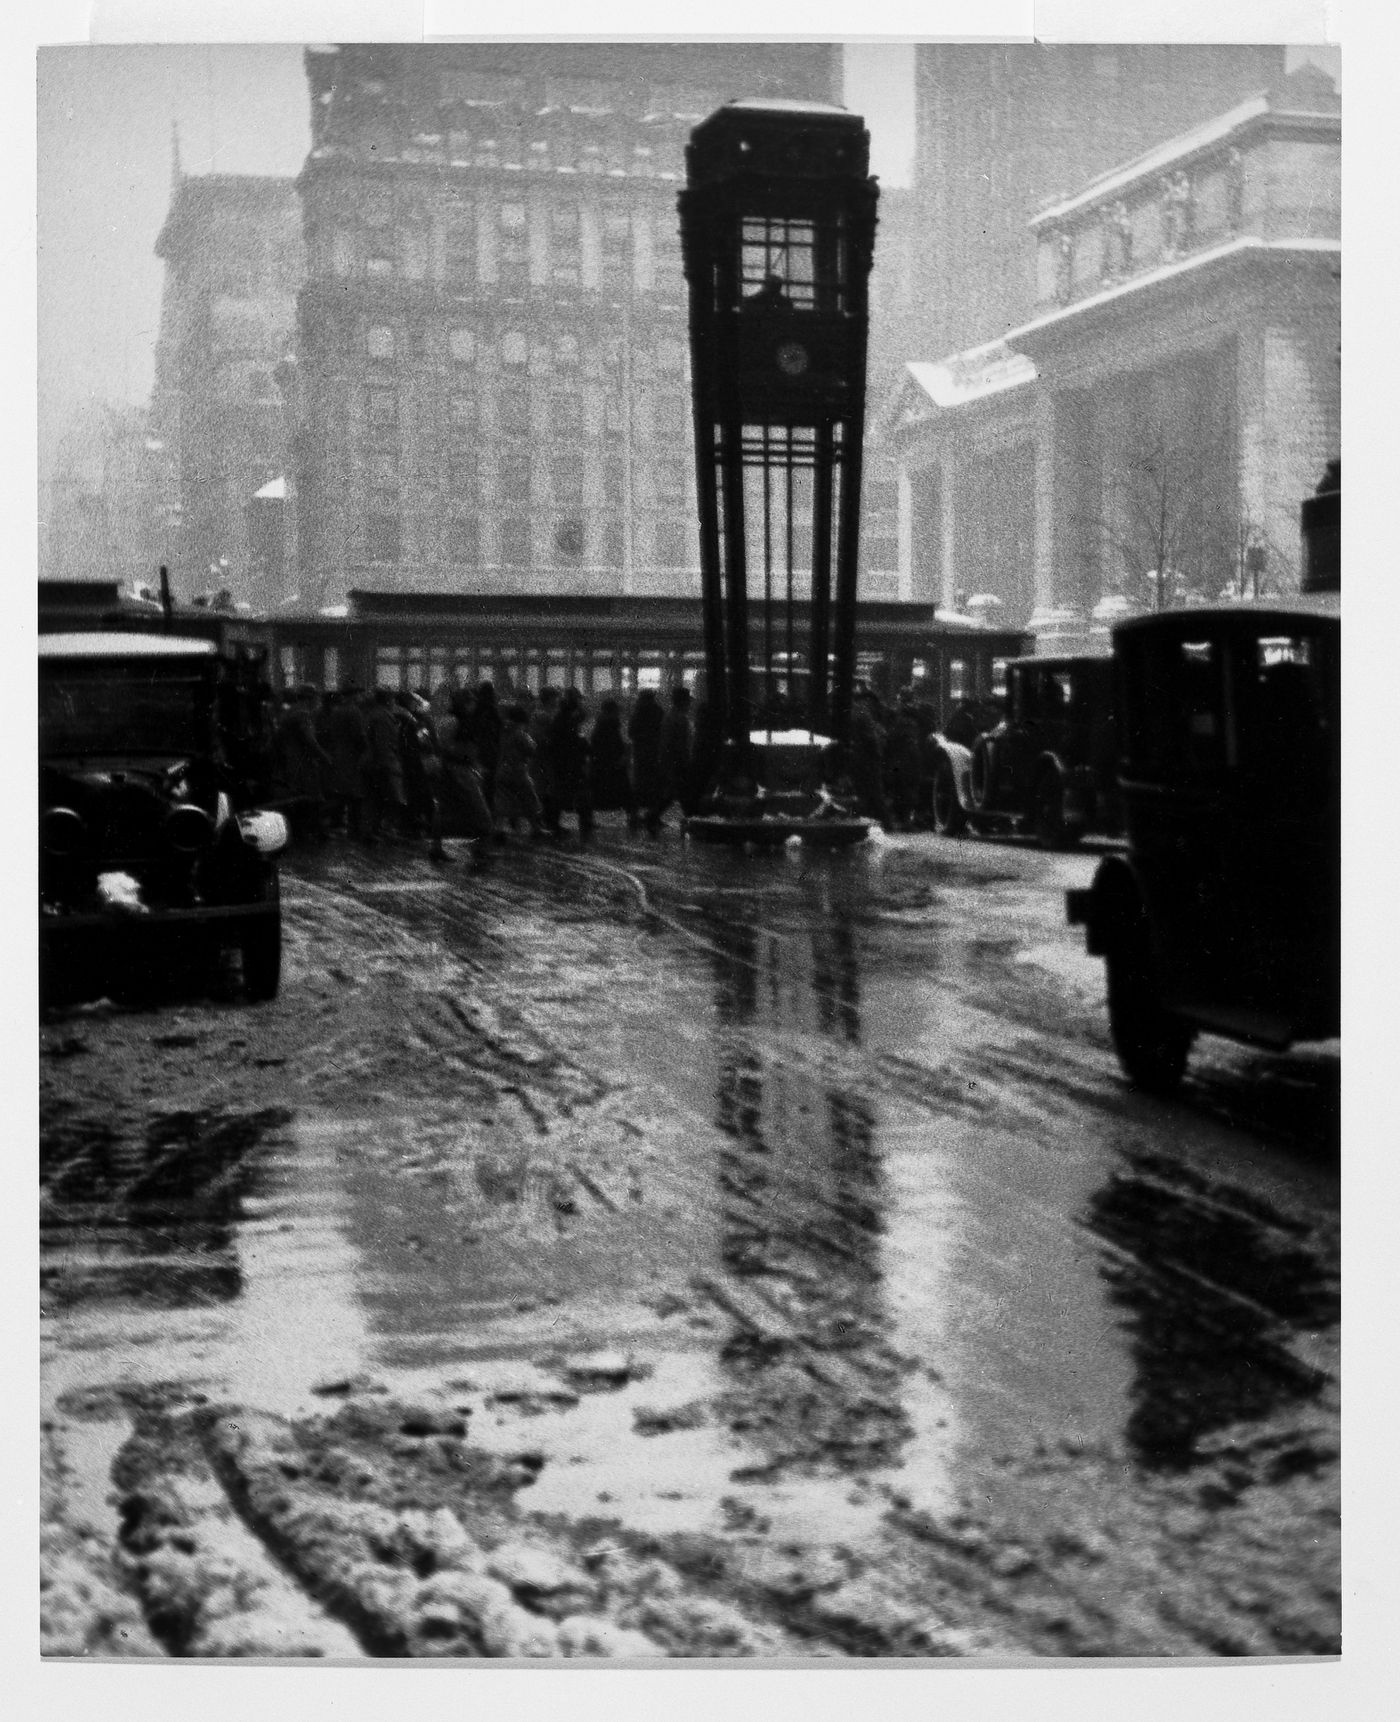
x: 125, y: 709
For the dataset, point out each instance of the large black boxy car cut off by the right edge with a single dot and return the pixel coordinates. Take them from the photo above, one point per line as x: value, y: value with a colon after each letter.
x: 1225, y: 912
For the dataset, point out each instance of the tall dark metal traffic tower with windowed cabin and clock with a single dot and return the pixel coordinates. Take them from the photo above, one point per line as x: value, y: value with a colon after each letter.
x: 777, y: 232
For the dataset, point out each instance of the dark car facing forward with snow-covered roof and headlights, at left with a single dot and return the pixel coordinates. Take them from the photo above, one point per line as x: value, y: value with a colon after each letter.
x: 151, y: 855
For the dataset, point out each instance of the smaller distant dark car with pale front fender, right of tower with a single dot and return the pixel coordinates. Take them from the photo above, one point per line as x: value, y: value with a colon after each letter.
x: 1048, y: 767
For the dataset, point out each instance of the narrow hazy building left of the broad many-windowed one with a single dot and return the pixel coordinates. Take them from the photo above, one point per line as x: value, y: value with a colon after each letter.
x: 233, y: 261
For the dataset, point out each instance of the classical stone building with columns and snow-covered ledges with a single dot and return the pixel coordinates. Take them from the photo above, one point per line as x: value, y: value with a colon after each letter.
x: 1149, y: 433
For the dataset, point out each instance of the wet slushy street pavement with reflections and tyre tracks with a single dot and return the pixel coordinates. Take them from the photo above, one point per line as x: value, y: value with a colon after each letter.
x: 731, y: 1215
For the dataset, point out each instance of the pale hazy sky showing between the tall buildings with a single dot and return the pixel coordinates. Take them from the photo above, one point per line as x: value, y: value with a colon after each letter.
x: 104, y: 185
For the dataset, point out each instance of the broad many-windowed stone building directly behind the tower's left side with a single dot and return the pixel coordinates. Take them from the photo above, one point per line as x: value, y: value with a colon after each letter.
x: 492, y: 390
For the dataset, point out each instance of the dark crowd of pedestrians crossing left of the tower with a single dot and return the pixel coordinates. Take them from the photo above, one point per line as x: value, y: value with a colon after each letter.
x: 383, y: 767
